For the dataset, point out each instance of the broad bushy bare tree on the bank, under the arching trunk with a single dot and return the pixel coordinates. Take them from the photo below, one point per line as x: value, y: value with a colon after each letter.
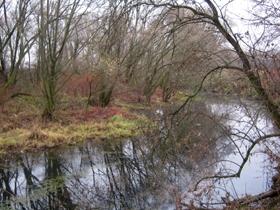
x: 173, y: 58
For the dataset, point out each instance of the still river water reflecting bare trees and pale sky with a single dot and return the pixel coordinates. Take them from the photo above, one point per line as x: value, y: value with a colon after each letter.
x: 156, y: 171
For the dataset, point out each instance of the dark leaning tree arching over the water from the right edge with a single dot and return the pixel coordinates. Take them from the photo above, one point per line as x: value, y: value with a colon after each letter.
x: 209, y: 12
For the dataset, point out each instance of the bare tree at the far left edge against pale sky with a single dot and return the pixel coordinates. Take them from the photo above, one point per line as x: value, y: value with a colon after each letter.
x: 16, y: 39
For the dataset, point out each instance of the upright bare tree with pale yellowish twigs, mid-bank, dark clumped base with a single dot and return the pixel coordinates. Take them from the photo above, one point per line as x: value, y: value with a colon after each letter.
x: 113, y: 49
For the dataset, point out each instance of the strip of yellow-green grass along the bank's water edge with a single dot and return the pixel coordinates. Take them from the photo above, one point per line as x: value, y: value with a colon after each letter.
x: 116, y: 127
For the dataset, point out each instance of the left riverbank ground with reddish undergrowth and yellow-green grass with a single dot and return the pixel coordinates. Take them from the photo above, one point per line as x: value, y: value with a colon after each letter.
x: 23, y: 130
